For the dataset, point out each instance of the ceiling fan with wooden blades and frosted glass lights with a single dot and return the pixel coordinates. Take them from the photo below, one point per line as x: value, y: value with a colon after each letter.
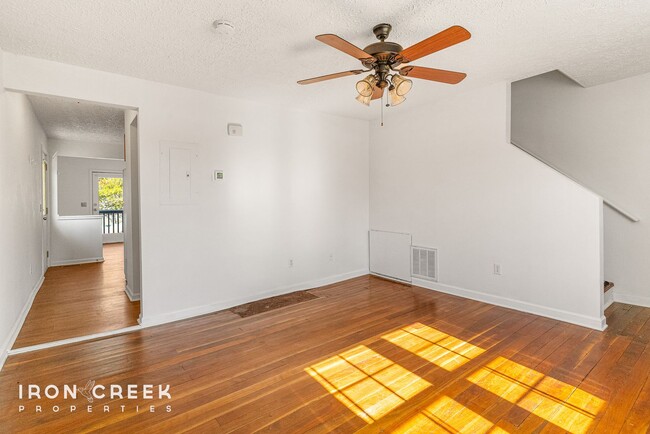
x: 383, y: 58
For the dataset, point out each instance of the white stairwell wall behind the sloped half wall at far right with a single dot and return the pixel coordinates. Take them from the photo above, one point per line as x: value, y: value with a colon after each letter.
x: 601, y: 137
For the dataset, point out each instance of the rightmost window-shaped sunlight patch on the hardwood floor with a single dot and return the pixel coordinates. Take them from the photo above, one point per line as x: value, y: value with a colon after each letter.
x: 566, y: 406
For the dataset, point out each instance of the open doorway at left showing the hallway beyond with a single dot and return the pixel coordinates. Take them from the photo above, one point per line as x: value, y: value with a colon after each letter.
x: 89, y: 207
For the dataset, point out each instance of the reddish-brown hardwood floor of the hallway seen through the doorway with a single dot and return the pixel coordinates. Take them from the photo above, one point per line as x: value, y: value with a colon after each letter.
x: 79, y: 300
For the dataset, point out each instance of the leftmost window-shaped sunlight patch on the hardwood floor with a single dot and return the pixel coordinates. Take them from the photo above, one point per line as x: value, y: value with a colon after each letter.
x: 366, y: 382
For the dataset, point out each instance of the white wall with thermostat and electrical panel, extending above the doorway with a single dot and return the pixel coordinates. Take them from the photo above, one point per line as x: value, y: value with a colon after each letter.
x: 295, y: 187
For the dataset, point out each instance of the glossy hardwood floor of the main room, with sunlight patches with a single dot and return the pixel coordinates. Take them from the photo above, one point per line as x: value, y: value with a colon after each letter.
x: 367, y: 355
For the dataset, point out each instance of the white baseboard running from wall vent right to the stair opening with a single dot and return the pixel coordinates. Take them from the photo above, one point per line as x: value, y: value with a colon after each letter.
x: 558, y: 314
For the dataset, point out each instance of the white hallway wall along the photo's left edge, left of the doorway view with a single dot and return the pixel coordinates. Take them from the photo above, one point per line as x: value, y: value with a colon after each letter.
x: 21, y: 143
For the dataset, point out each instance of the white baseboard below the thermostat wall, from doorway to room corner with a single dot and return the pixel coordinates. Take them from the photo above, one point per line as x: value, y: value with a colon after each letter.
x: 203, y: 310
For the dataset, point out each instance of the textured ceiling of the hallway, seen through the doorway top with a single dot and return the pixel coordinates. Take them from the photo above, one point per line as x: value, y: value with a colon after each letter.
x: 78, y: 120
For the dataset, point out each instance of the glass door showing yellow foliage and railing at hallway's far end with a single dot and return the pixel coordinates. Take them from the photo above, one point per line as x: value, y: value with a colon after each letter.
x: 108, y: 193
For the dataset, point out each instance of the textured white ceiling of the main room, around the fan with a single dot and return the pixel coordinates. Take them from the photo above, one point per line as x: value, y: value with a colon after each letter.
x: 172, y: 41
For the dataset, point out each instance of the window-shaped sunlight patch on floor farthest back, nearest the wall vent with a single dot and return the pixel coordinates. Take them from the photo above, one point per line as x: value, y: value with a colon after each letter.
x: 441, y: 349
